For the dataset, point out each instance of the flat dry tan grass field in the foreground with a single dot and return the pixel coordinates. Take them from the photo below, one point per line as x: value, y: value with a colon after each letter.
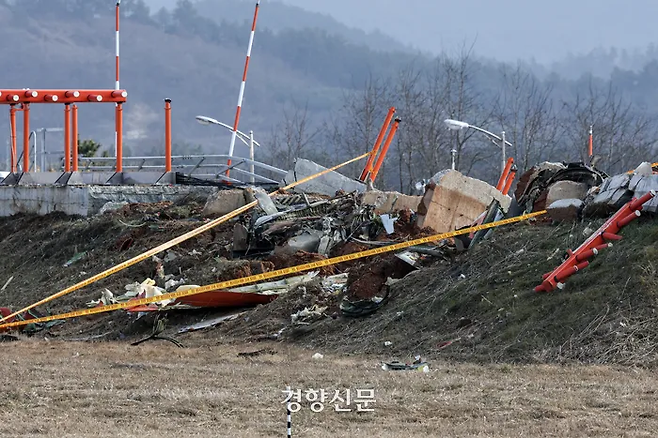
x: 76, y: 389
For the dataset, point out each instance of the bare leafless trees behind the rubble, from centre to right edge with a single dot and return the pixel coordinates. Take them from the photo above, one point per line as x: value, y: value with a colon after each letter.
x: 545, y: 120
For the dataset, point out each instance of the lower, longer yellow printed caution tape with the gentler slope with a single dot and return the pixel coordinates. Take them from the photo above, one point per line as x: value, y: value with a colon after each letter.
x: 273, y: 274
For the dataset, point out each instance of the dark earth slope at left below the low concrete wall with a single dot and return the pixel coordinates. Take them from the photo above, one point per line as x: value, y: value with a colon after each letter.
x: 45, y: 254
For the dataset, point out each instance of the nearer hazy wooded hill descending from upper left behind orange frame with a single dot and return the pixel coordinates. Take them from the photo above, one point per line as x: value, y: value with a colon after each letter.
x: 200, y: 76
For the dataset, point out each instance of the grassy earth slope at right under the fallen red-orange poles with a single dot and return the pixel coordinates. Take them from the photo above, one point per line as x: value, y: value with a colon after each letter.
x: 481, y: 307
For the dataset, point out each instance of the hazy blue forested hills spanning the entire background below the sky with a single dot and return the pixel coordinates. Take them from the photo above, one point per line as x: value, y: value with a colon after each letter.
x: 312, y: 93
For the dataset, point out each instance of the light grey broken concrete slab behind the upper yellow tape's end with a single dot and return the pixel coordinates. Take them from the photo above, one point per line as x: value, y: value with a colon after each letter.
x: 327, y: 184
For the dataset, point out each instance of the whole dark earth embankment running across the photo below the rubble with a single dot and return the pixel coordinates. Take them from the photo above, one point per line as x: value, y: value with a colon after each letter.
x: 477, y: 307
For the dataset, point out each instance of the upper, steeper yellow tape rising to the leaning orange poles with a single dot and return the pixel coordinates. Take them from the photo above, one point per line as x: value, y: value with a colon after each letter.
x: 174, y: 242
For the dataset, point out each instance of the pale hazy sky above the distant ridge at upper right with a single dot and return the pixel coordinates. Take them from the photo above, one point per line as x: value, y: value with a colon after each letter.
x: 501, y: 29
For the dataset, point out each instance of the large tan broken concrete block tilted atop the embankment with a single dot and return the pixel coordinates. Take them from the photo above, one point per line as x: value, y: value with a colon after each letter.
x: 453, y: 201
